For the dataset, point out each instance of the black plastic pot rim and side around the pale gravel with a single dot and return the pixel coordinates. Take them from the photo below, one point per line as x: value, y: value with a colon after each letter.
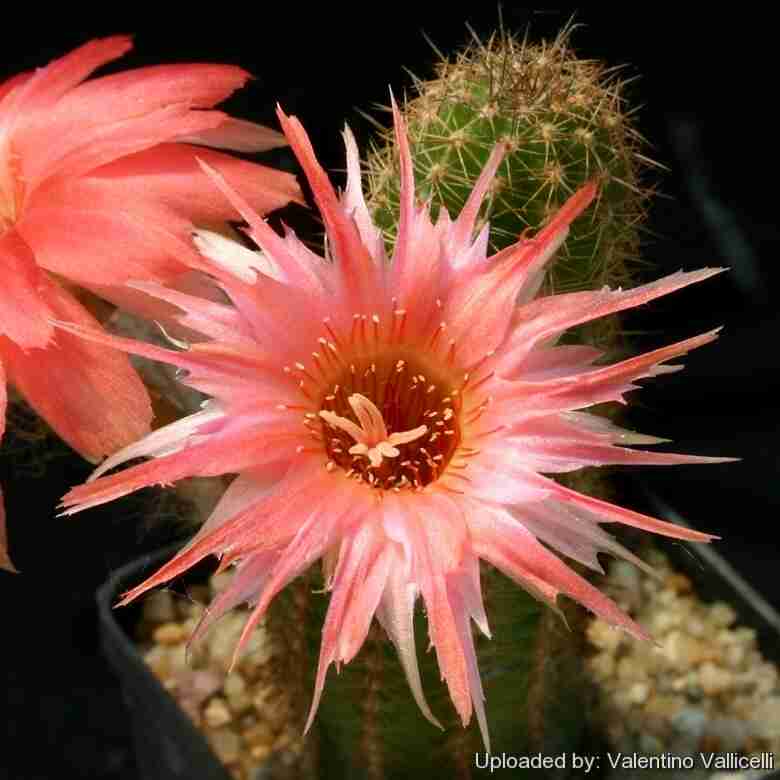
x: 169, y: 747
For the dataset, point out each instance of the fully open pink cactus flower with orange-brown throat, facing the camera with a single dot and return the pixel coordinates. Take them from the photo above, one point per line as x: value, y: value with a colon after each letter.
x: 395, y: 417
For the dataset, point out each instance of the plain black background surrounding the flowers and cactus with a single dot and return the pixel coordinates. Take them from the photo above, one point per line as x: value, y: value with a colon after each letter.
x: 708, y: 95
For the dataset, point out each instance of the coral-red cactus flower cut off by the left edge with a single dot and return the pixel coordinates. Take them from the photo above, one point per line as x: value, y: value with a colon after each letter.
x: 99, y: 185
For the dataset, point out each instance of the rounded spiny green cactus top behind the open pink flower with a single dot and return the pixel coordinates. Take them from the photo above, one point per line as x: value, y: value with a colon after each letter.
x: 564, y: 122
